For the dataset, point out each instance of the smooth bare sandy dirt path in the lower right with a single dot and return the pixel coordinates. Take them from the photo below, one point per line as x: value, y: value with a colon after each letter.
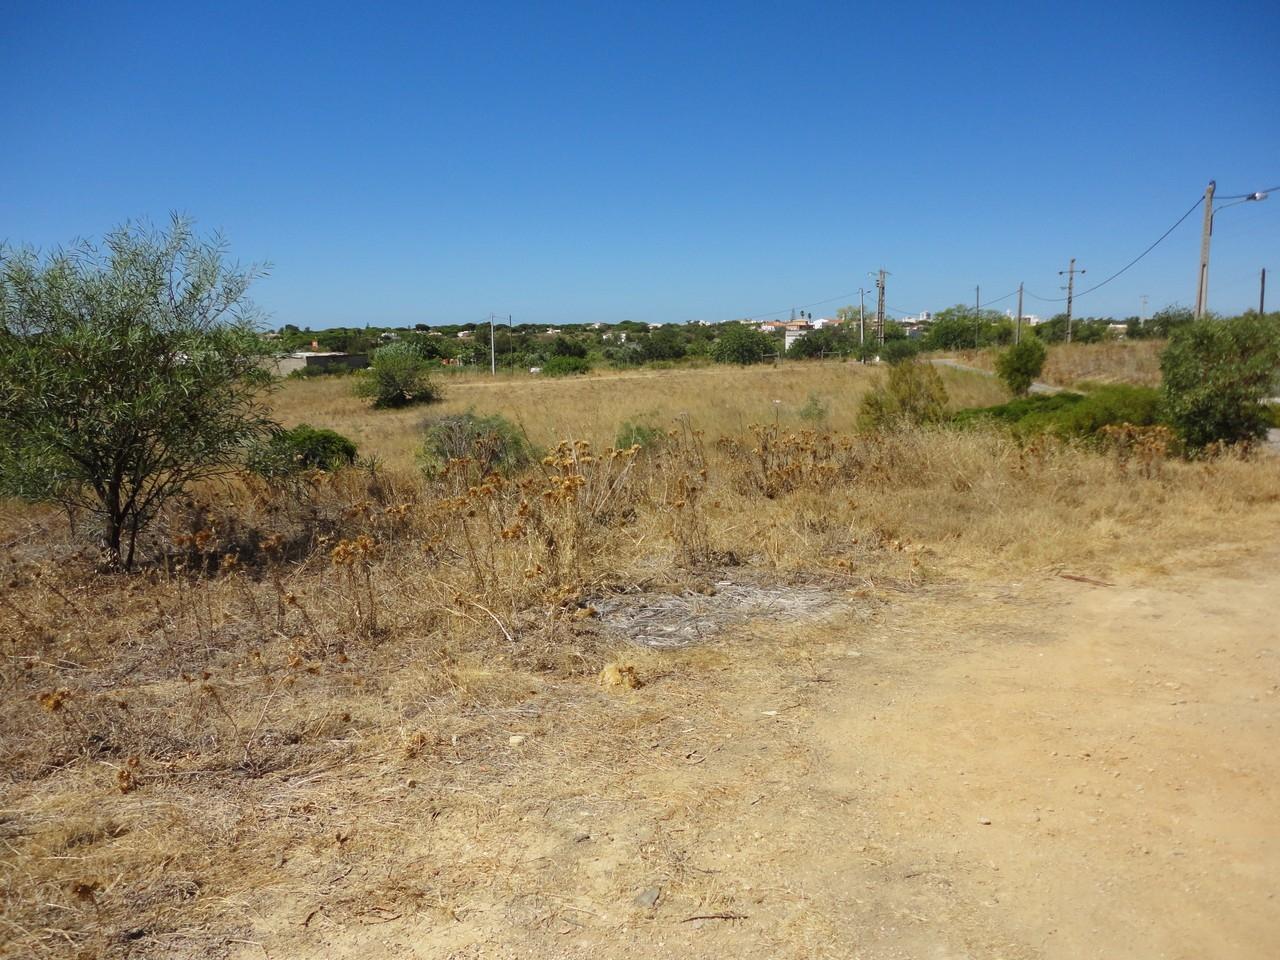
x: 1105, y: 790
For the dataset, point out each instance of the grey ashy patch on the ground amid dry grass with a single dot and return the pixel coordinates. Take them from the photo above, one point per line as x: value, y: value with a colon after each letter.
x: 674, y: 620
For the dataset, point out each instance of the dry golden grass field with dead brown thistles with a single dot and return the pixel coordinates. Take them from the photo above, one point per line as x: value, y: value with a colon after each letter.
x: 380, y: 702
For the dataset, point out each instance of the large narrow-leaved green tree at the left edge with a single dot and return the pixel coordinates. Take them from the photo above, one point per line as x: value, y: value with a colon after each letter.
x: 129, y: 371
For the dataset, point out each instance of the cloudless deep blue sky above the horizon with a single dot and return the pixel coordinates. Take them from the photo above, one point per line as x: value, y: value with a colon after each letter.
x: 429, y: 163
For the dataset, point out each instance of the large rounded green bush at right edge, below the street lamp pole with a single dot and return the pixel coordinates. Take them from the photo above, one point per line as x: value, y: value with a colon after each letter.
x: 1217, y: 377
